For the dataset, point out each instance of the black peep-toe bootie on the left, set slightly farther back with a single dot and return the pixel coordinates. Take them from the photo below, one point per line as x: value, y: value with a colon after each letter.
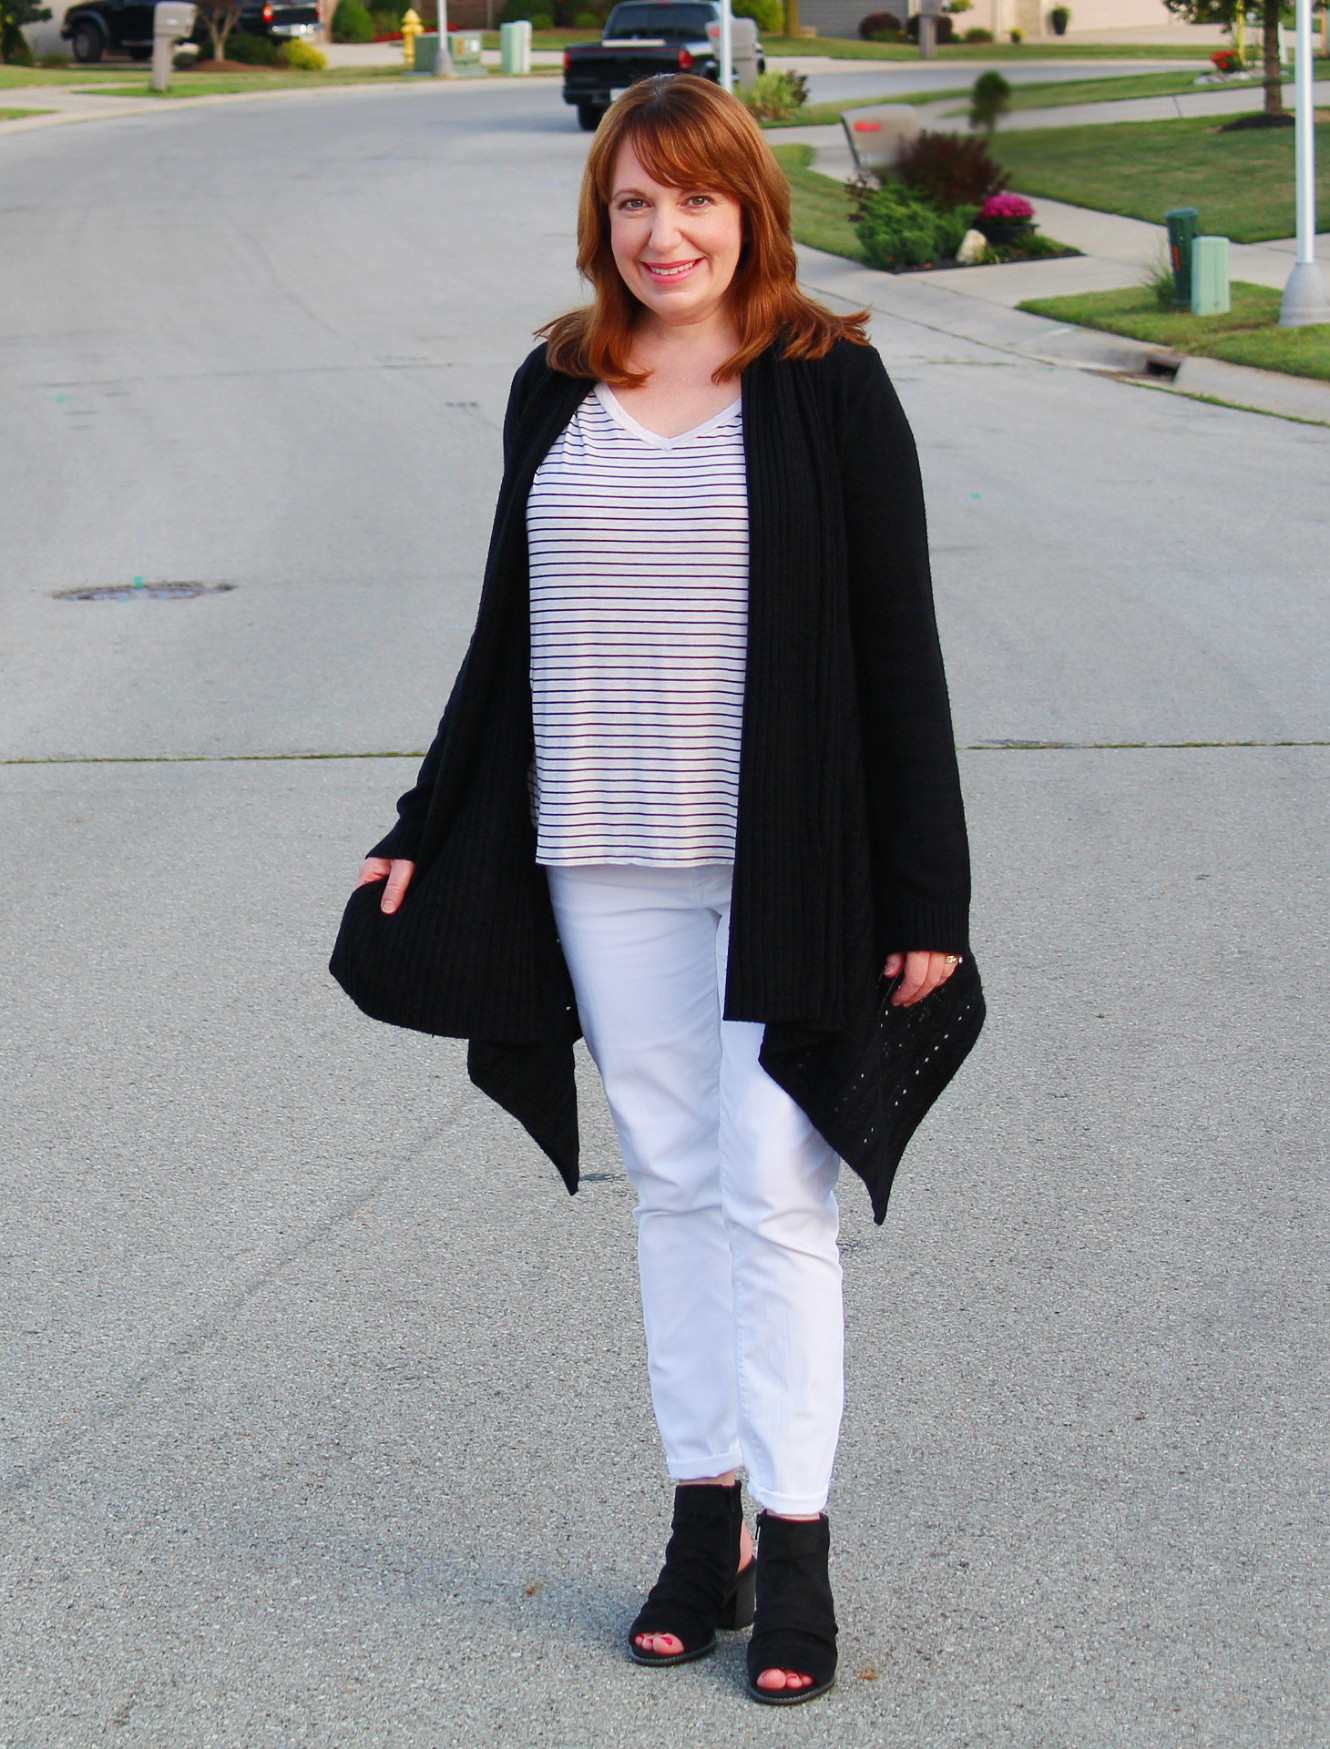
x: 701, y: 1587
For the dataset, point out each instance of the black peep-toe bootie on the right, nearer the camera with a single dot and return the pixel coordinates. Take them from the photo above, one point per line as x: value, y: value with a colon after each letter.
x: 797, y: 1626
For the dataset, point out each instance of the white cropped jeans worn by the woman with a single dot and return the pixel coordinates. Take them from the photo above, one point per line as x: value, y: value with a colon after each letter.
x: 738, y: 1215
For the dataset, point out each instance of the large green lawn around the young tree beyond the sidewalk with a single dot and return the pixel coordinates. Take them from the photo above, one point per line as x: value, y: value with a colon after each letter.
x: 1243, y: 183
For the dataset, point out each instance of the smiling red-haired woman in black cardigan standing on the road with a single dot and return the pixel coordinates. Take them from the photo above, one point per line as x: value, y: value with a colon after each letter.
x: 696, y: 793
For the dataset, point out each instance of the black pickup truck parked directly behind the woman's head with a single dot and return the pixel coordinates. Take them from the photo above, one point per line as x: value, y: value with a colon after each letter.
x: 643, y: 38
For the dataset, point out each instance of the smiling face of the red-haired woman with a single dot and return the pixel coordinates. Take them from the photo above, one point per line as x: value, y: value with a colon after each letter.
x: 676, y: 249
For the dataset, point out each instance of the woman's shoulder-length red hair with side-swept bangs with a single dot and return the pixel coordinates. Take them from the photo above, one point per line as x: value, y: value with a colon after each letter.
x: 692, y: 136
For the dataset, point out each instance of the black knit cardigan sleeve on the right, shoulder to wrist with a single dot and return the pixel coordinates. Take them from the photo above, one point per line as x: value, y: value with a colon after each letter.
x: 921, y: 860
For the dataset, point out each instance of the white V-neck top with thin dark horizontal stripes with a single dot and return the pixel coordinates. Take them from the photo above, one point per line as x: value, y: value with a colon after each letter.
x: 638, y: 639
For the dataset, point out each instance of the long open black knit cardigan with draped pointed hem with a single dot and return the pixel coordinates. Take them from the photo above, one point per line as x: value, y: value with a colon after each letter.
x: 851, y: 835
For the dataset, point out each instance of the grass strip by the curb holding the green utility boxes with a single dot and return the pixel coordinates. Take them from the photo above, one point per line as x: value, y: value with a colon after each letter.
x: 1249, y: 335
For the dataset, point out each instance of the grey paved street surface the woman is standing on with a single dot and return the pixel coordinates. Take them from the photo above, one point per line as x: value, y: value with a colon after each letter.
x: 325, y: 1412
